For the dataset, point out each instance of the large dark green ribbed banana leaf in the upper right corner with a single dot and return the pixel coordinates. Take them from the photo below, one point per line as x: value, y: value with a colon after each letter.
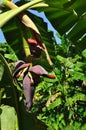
x: 68, y: 18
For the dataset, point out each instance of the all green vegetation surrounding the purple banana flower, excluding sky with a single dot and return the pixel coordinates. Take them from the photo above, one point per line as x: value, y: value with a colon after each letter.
x: 58, y: 103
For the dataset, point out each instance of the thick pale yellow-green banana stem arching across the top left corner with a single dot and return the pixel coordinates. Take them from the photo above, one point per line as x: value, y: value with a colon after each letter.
x: 4, y: 17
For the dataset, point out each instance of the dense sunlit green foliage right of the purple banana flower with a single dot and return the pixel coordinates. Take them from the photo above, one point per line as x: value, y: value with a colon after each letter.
x: 61, y: 102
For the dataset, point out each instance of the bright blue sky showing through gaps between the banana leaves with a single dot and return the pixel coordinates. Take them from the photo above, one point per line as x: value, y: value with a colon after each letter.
x: 50, y: 27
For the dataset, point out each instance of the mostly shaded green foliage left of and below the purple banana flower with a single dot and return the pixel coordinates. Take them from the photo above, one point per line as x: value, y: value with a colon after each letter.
x: 11, y: 95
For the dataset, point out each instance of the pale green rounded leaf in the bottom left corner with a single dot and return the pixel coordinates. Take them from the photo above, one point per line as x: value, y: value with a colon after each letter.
x: 8, y: 118
